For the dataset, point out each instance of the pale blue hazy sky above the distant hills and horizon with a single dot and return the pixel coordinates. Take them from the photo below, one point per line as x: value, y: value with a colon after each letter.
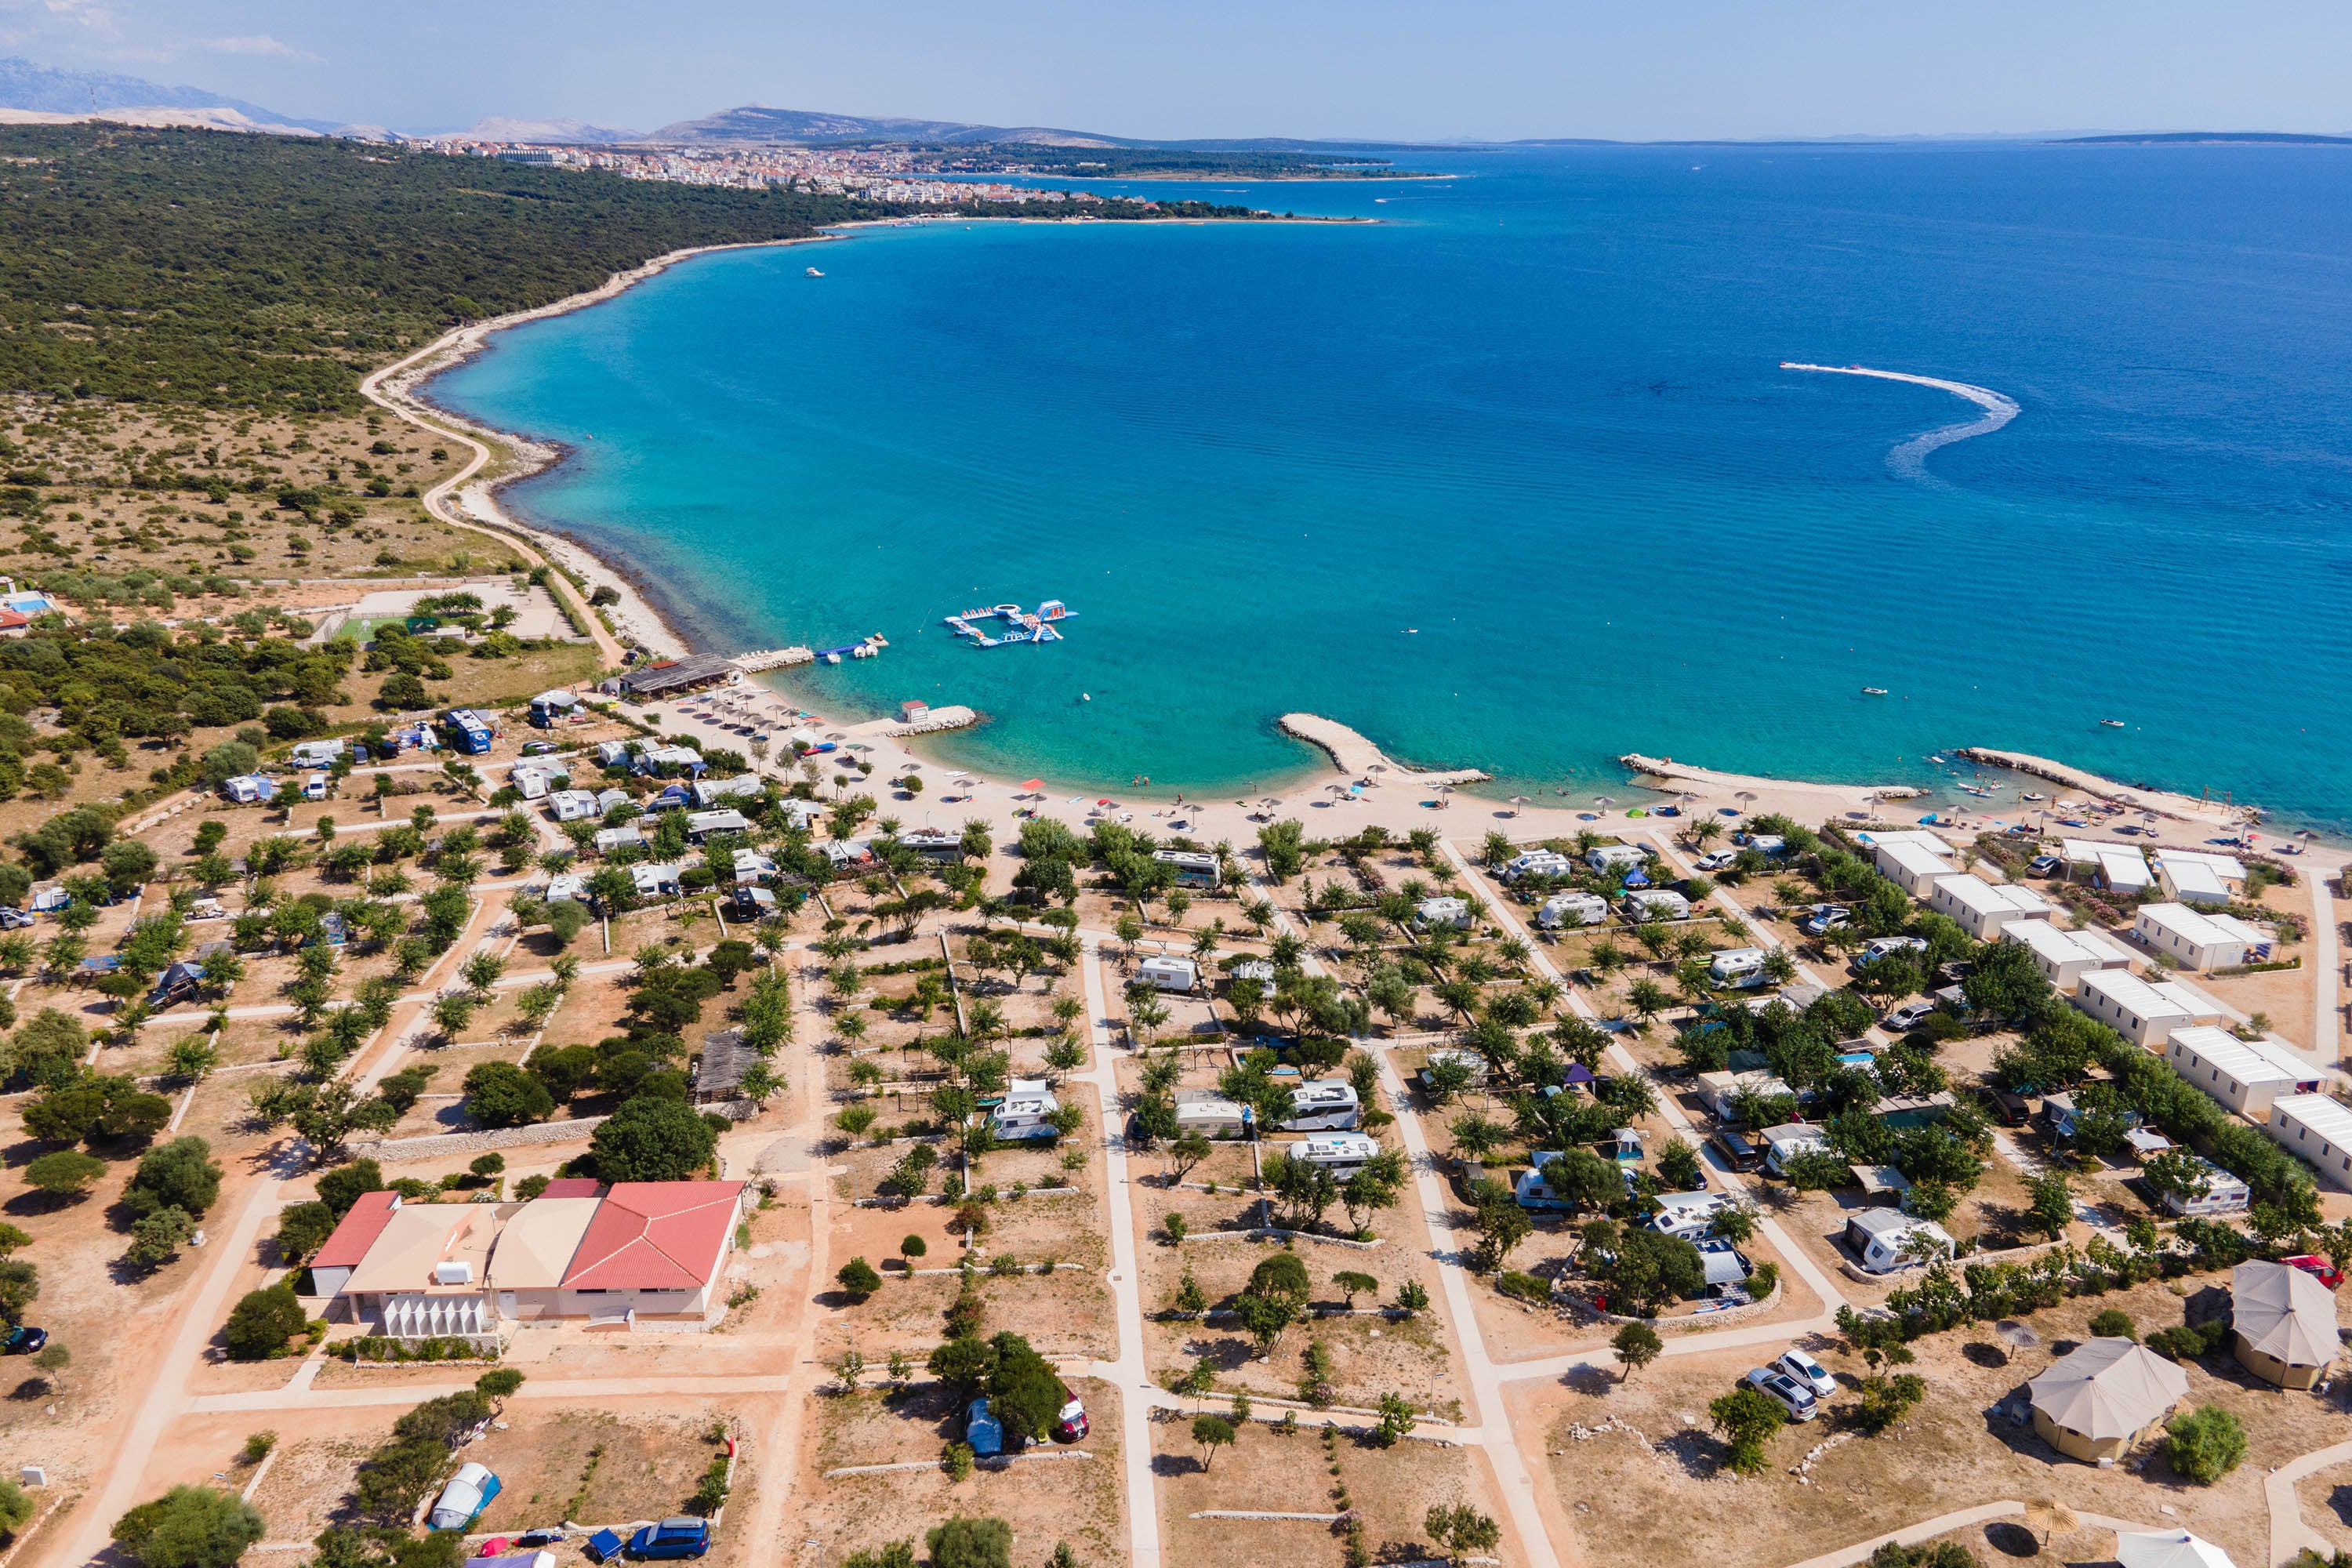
x: 1391, y: 69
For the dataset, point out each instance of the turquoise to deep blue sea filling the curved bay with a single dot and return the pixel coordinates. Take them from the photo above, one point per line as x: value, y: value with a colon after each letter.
x: 1537, y: 415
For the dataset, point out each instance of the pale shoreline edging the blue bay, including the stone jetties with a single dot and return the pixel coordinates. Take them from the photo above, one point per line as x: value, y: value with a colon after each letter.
x: 474, y: 502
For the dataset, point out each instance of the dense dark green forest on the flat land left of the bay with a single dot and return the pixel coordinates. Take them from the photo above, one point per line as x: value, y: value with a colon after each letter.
x: 272, y: 272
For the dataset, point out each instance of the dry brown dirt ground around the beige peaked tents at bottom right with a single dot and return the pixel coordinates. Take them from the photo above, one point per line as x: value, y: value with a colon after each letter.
x: 1652, y: 1489
